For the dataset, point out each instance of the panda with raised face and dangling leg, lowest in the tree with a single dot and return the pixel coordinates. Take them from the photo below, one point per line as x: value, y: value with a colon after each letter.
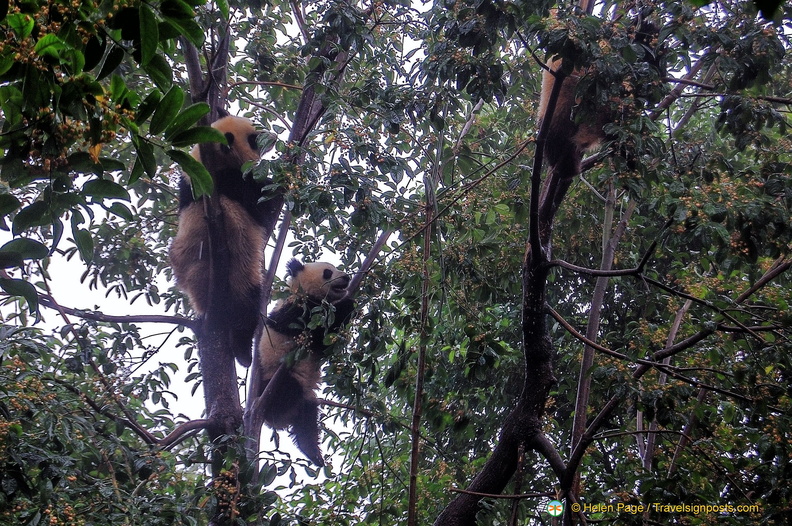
x: 291, y: 353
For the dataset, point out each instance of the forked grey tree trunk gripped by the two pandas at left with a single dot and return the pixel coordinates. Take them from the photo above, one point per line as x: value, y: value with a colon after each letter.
x: 224, y: 412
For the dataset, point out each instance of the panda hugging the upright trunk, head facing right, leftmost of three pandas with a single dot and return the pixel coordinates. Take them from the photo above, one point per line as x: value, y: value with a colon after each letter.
x: 242, y: 222
